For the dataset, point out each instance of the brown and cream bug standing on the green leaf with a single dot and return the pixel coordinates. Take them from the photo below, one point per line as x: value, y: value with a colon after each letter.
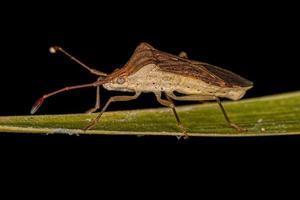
x: 151, y: 70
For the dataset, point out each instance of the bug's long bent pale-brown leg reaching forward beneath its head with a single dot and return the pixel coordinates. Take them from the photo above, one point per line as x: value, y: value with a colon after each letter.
x: 112, y: 99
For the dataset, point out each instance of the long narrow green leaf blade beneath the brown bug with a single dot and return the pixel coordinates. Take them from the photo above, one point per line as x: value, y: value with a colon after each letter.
x: 270, y: 115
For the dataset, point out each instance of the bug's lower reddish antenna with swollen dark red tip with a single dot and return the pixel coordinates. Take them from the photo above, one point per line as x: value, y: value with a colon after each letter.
x: 39, y: 102
